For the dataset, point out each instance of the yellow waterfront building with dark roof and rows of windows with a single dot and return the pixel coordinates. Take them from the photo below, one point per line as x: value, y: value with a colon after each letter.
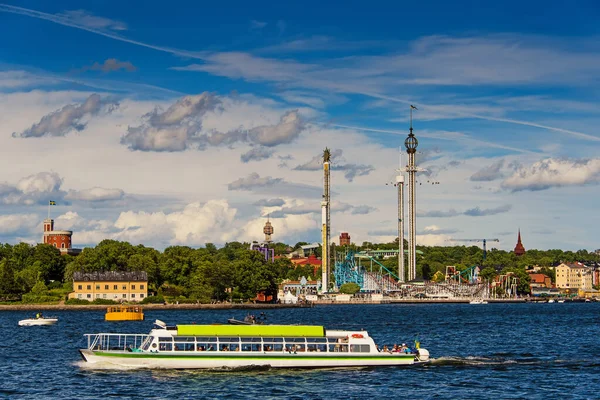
x: 111, y: 285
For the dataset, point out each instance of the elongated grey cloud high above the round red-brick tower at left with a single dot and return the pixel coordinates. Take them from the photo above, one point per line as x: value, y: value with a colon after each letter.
x: 68, y: 118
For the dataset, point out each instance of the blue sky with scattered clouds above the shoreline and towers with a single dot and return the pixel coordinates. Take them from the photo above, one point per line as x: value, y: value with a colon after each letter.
x: 115, y: 108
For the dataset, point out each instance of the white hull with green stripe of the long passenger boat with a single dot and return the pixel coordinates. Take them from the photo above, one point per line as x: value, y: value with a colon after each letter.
x: 173, y: 360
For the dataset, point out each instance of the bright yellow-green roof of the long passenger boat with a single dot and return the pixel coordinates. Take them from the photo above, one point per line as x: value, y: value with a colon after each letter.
x: 251, y: 330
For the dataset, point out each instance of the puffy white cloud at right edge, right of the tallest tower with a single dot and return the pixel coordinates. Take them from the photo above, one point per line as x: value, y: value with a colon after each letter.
x: 549, y: 173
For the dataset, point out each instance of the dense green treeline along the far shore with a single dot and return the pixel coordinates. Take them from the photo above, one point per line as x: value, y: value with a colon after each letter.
x: 233, y: 271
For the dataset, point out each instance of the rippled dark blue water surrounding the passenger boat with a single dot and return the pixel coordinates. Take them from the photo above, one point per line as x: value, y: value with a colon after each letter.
x: 505, y: 351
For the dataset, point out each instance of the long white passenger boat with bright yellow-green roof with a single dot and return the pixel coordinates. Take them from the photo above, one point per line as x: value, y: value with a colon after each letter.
x: 234, y: 346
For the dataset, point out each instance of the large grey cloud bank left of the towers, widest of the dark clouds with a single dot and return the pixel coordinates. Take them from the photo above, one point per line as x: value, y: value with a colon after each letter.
x: 180, y: 127
